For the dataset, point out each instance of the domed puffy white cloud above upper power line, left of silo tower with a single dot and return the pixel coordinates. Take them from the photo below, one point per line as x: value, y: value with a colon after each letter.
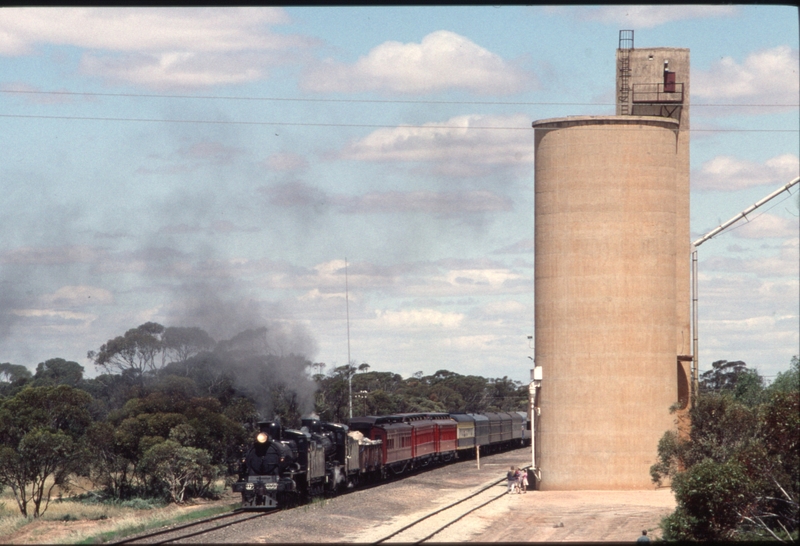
x: 443, y: 60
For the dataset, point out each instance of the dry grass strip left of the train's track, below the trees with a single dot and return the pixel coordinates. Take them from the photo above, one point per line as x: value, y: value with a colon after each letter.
x: 71, y: 520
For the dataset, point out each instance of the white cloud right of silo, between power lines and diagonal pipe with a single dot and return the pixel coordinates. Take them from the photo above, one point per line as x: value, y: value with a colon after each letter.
x: 727, y: 173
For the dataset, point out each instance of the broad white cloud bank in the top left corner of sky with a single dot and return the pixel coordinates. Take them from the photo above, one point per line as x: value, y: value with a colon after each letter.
x: 158, y: 47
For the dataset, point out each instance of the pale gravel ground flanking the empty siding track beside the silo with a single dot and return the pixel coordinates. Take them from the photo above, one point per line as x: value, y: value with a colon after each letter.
x: 548, y: 516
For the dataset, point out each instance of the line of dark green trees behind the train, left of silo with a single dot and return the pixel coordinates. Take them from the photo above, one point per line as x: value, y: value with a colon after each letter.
x: 171, y: 409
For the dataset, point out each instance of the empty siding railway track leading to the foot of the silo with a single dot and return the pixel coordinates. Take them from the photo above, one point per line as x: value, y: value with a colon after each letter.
x: 426, y: 527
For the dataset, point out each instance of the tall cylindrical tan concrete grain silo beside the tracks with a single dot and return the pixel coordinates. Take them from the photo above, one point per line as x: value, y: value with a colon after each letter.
x: 611, y: 220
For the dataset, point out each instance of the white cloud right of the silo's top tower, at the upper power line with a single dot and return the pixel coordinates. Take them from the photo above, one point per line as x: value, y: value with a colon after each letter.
x: 769, y: 76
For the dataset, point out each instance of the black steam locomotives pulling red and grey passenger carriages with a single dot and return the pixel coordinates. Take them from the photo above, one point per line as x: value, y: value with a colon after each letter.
x: 285, y: 467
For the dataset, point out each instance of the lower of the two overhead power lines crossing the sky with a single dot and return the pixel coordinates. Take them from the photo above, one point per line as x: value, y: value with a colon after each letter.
x: 364, y: 125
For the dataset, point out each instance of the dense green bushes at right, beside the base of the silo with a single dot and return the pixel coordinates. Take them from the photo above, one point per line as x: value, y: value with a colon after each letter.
x: 737, y: 474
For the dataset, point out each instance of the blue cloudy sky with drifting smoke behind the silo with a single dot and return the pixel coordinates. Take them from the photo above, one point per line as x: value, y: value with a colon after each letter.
x: 360, y: 179
